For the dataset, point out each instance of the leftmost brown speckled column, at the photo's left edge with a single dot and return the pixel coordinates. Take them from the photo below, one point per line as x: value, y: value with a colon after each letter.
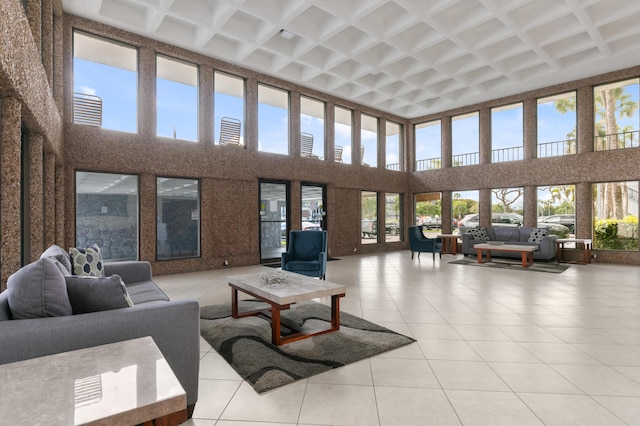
x: 10, y: 182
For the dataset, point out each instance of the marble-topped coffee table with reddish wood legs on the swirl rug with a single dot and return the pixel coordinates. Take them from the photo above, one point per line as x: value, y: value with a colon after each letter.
x: 296, y: 288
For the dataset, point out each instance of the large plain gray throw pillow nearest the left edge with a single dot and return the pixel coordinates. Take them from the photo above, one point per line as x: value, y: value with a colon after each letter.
x: 38, y: 290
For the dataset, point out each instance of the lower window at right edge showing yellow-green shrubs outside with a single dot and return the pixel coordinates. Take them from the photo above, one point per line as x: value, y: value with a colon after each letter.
x: 615, y: 216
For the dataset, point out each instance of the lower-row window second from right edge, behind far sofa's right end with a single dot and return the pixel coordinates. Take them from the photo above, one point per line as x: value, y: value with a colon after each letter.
x: 557, y: 209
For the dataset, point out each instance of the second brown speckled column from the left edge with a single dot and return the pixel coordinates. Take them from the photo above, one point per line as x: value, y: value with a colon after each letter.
x: 36, y: 197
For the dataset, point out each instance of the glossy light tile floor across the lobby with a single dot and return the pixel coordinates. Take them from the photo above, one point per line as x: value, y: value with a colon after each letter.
x: 495, y: 347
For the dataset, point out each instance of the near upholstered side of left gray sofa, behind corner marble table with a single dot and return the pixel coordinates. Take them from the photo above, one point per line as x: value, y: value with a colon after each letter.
x: 174, y: 326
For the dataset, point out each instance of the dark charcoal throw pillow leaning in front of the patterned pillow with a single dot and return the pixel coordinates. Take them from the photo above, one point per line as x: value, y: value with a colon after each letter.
x: 93, y: 294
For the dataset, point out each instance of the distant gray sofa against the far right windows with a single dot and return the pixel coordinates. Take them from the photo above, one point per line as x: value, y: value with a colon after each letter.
x: 521, y: 235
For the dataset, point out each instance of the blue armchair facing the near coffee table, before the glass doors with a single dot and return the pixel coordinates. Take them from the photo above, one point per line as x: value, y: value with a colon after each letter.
x: 307, y: 253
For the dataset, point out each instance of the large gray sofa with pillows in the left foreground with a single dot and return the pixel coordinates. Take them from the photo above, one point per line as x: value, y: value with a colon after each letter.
x: 173, y: 325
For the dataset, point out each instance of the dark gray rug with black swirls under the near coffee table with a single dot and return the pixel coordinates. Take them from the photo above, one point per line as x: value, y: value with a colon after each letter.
x: 245, y: 343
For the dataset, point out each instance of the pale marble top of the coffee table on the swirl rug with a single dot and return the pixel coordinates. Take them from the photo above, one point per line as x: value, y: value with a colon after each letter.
x: 296, y: 287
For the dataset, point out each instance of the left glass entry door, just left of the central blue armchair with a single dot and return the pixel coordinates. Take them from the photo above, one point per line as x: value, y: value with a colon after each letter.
x: 274, y: 220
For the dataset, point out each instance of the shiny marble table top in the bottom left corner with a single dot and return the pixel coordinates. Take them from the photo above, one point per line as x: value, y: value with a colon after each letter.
x: 127, y: 382
